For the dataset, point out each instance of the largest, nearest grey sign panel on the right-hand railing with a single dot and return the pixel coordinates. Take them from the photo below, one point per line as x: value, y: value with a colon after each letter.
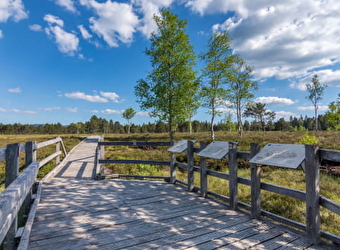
x: 280, y: 155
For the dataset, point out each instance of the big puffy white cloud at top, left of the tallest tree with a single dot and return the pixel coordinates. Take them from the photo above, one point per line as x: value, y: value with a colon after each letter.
x: 115, y: 22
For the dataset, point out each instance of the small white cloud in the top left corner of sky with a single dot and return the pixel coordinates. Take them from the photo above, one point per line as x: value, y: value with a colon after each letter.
x: 14, y: 9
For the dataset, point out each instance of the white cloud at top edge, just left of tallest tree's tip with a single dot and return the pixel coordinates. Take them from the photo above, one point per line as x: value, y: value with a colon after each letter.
x: 149, y: 8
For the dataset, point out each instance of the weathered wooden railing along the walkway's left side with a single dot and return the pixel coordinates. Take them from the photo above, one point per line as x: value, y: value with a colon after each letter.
x: 19, y: 188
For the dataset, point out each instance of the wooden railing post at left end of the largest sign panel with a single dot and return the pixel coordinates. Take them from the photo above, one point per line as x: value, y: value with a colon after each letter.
x: 255, y: 183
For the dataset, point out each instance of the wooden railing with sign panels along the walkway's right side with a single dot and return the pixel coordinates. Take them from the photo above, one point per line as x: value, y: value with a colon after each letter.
x: 311, y: 196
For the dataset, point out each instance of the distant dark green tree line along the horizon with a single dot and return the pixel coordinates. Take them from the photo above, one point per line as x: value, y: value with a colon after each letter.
x: 98, y: 125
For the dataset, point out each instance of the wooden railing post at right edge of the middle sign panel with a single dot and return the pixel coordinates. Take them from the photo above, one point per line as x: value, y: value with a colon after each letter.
x: 233, y: 169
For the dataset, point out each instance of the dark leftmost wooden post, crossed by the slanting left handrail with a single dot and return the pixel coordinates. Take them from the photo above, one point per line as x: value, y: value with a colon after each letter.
x: 12, y: 171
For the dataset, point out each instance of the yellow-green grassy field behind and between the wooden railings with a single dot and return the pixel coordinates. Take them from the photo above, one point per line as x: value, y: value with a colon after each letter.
x: 284, y: 206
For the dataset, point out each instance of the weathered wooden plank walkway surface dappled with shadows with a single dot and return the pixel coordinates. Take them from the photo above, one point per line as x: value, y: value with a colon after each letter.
x: 77, y: 212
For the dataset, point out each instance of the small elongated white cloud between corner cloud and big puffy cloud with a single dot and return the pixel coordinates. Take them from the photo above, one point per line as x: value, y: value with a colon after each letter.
x: 67, y: 42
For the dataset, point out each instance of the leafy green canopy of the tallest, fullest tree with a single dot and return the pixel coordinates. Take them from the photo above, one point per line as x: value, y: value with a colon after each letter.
x: 170, y: 89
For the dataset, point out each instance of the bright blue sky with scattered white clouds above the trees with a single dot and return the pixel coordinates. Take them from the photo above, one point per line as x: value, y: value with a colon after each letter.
x: 66, y: 60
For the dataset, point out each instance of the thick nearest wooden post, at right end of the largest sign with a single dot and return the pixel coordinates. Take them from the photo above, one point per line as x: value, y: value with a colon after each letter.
x: 312, y: 193
